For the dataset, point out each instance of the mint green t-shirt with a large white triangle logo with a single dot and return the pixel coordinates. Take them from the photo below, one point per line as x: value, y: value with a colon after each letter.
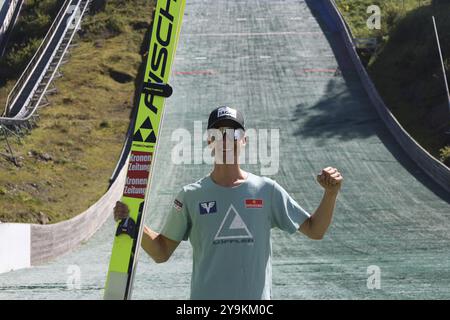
x: 229, y: 230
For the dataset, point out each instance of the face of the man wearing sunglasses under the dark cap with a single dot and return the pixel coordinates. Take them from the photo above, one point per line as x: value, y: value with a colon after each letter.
x: 227, y: 141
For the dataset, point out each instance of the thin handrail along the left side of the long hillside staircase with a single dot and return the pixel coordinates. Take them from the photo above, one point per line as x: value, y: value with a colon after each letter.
x: 33, y: 62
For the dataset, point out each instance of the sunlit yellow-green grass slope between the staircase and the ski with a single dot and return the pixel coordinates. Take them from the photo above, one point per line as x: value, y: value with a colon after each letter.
x: 66, y: 162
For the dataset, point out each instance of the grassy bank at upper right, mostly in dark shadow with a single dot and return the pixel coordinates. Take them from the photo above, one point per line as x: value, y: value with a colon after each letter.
x: 406, y: 68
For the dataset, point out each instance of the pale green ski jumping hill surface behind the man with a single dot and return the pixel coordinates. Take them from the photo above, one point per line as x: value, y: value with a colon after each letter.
x: 288, y: 65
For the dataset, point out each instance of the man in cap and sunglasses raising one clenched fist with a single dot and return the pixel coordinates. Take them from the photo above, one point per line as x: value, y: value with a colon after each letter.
x: 228, y: 215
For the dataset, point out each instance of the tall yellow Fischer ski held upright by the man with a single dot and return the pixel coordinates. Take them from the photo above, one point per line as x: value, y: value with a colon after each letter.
x: 165, y: 30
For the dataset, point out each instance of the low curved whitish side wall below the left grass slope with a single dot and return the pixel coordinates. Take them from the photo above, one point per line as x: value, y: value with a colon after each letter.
x: 25, y: 245
